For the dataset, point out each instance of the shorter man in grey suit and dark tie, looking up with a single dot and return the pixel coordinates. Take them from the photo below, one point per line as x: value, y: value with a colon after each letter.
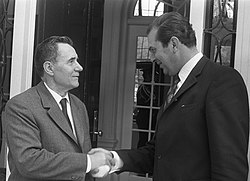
x: 44, y: 142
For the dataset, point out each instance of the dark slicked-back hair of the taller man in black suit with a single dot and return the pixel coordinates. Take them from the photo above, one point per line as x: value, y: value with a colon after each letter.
x: 173, y: 24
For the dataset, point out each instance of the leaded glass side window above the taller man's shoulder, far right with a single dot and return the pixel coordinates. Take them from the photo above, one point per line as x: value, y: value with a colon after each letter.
x: 220, y: 31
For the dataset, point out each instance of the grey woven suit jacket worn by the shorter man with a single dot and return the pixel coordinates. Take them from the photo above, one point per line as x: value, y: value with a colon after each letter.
x: 41, y: 143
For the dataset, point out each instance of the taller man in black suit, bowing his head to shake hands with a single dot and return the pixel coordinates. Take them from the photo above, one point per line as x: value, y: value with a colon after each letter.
x: 202, y: 132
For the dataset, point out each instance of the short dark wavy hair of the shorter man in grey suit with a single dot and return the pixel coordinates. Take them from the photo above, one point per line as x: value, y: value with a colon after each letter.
x: 47, y: 51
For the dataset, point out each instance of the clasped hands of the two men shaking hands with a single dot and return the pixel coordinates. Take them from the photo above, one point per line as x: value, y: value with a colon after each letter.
x: 103, y: 162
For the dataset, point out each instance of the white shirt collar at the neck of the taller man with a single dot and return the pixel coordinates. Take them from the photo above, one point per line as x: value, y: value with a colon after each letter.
x: 188, y: 67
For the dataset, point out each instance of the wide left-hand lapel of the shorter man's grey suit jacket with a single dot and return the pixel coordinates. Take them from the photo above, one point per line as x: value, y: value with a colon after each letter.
x: 54, y: 111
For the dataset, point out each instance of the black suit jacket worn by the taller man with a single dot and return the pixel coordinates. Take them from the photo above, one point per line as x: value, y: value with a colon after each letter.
x: 202, y: 134
